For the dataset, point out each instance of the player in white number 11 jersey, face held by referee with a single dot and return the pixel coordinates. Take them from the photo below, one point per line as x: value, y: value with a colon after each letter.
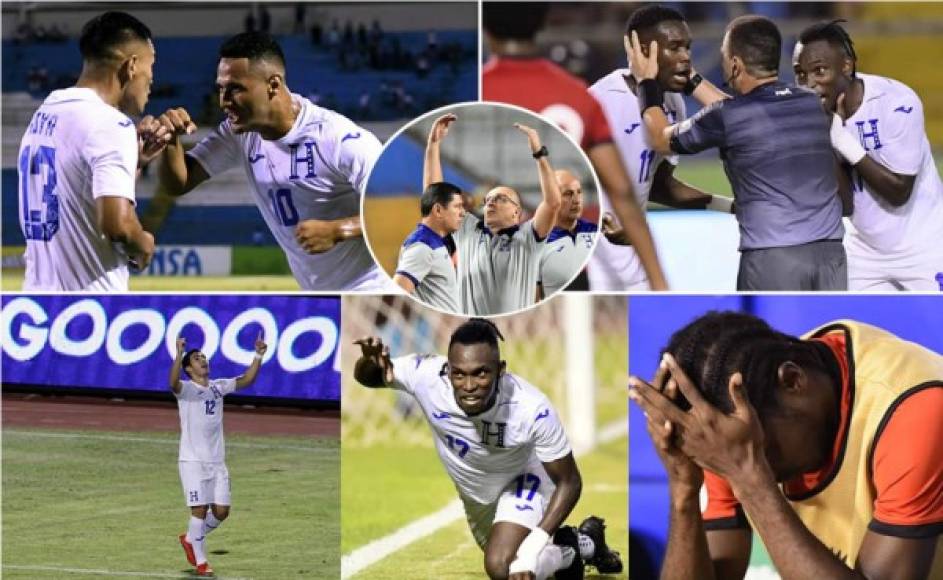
x: 612, y: 267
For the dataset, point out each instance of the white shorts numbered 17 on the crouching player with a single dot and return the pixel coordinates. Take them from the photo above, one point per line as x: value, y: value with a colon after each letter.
x: 522, y: 502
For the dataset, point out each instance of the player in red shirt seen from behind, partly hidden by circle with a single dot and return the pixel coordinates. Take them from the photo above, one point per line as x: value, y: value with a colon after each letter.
x: 515, y: 73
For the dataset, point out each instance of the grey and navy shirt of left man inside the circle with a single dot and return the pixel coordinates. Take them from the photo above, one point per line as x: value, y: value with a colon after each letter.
x: 425, y: 260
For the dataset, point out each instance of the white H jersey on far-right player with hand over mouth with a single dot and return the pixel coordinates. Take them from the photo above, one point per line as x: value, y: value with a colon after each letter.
x: 889, y: 124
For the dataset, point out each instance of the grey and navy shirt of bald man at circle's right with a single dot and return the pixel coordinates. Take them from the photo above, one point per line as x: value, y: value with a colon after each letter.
x: 564, y: 254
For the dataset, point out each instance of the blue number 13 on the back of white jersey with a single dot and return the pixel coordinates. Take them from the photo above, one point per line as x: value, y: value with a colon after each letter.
x: 36, y: 225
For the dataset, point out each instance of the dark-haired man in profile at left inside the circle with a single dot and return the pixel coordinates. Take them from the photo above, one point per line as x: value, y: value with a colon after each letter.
x: 425, y: 268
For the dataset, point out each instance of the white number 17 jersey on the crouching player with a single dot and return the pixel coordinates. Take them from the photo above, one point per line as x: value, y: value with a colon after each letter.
x: 484, y: 453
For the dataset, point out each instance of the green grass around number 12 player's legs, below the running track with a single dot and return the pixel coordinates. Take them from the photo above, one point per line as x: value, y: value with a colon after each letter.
x: 95, y: 501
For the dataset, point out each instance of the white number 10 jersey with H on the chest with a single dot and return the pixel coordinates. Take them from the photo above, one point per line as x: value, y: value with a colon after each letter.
x: 317, y: 171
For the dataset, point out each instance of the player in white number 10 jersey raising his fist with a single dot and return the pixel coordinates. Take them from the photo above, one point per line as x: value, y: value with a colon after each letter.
x: 308, y: 166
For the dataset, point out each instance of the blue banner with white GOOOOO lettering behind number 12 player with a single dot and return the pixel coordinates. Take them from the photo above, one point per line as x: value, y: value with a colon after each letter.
x: 128, y: 342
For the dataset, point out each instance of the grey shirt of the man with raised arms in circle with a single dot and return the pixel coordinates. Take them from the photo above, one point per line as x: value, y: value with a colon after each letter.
x: 497, y: 271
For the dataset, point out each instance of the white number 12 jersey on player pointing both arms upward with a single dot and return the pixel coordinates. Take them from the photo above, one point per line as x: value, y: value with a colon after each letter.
x: 201, y: 419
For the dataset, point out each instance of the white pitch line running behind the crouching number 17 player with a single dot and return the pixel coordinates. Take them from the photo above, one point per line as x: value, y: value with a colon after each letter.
x: 378, y: 549
